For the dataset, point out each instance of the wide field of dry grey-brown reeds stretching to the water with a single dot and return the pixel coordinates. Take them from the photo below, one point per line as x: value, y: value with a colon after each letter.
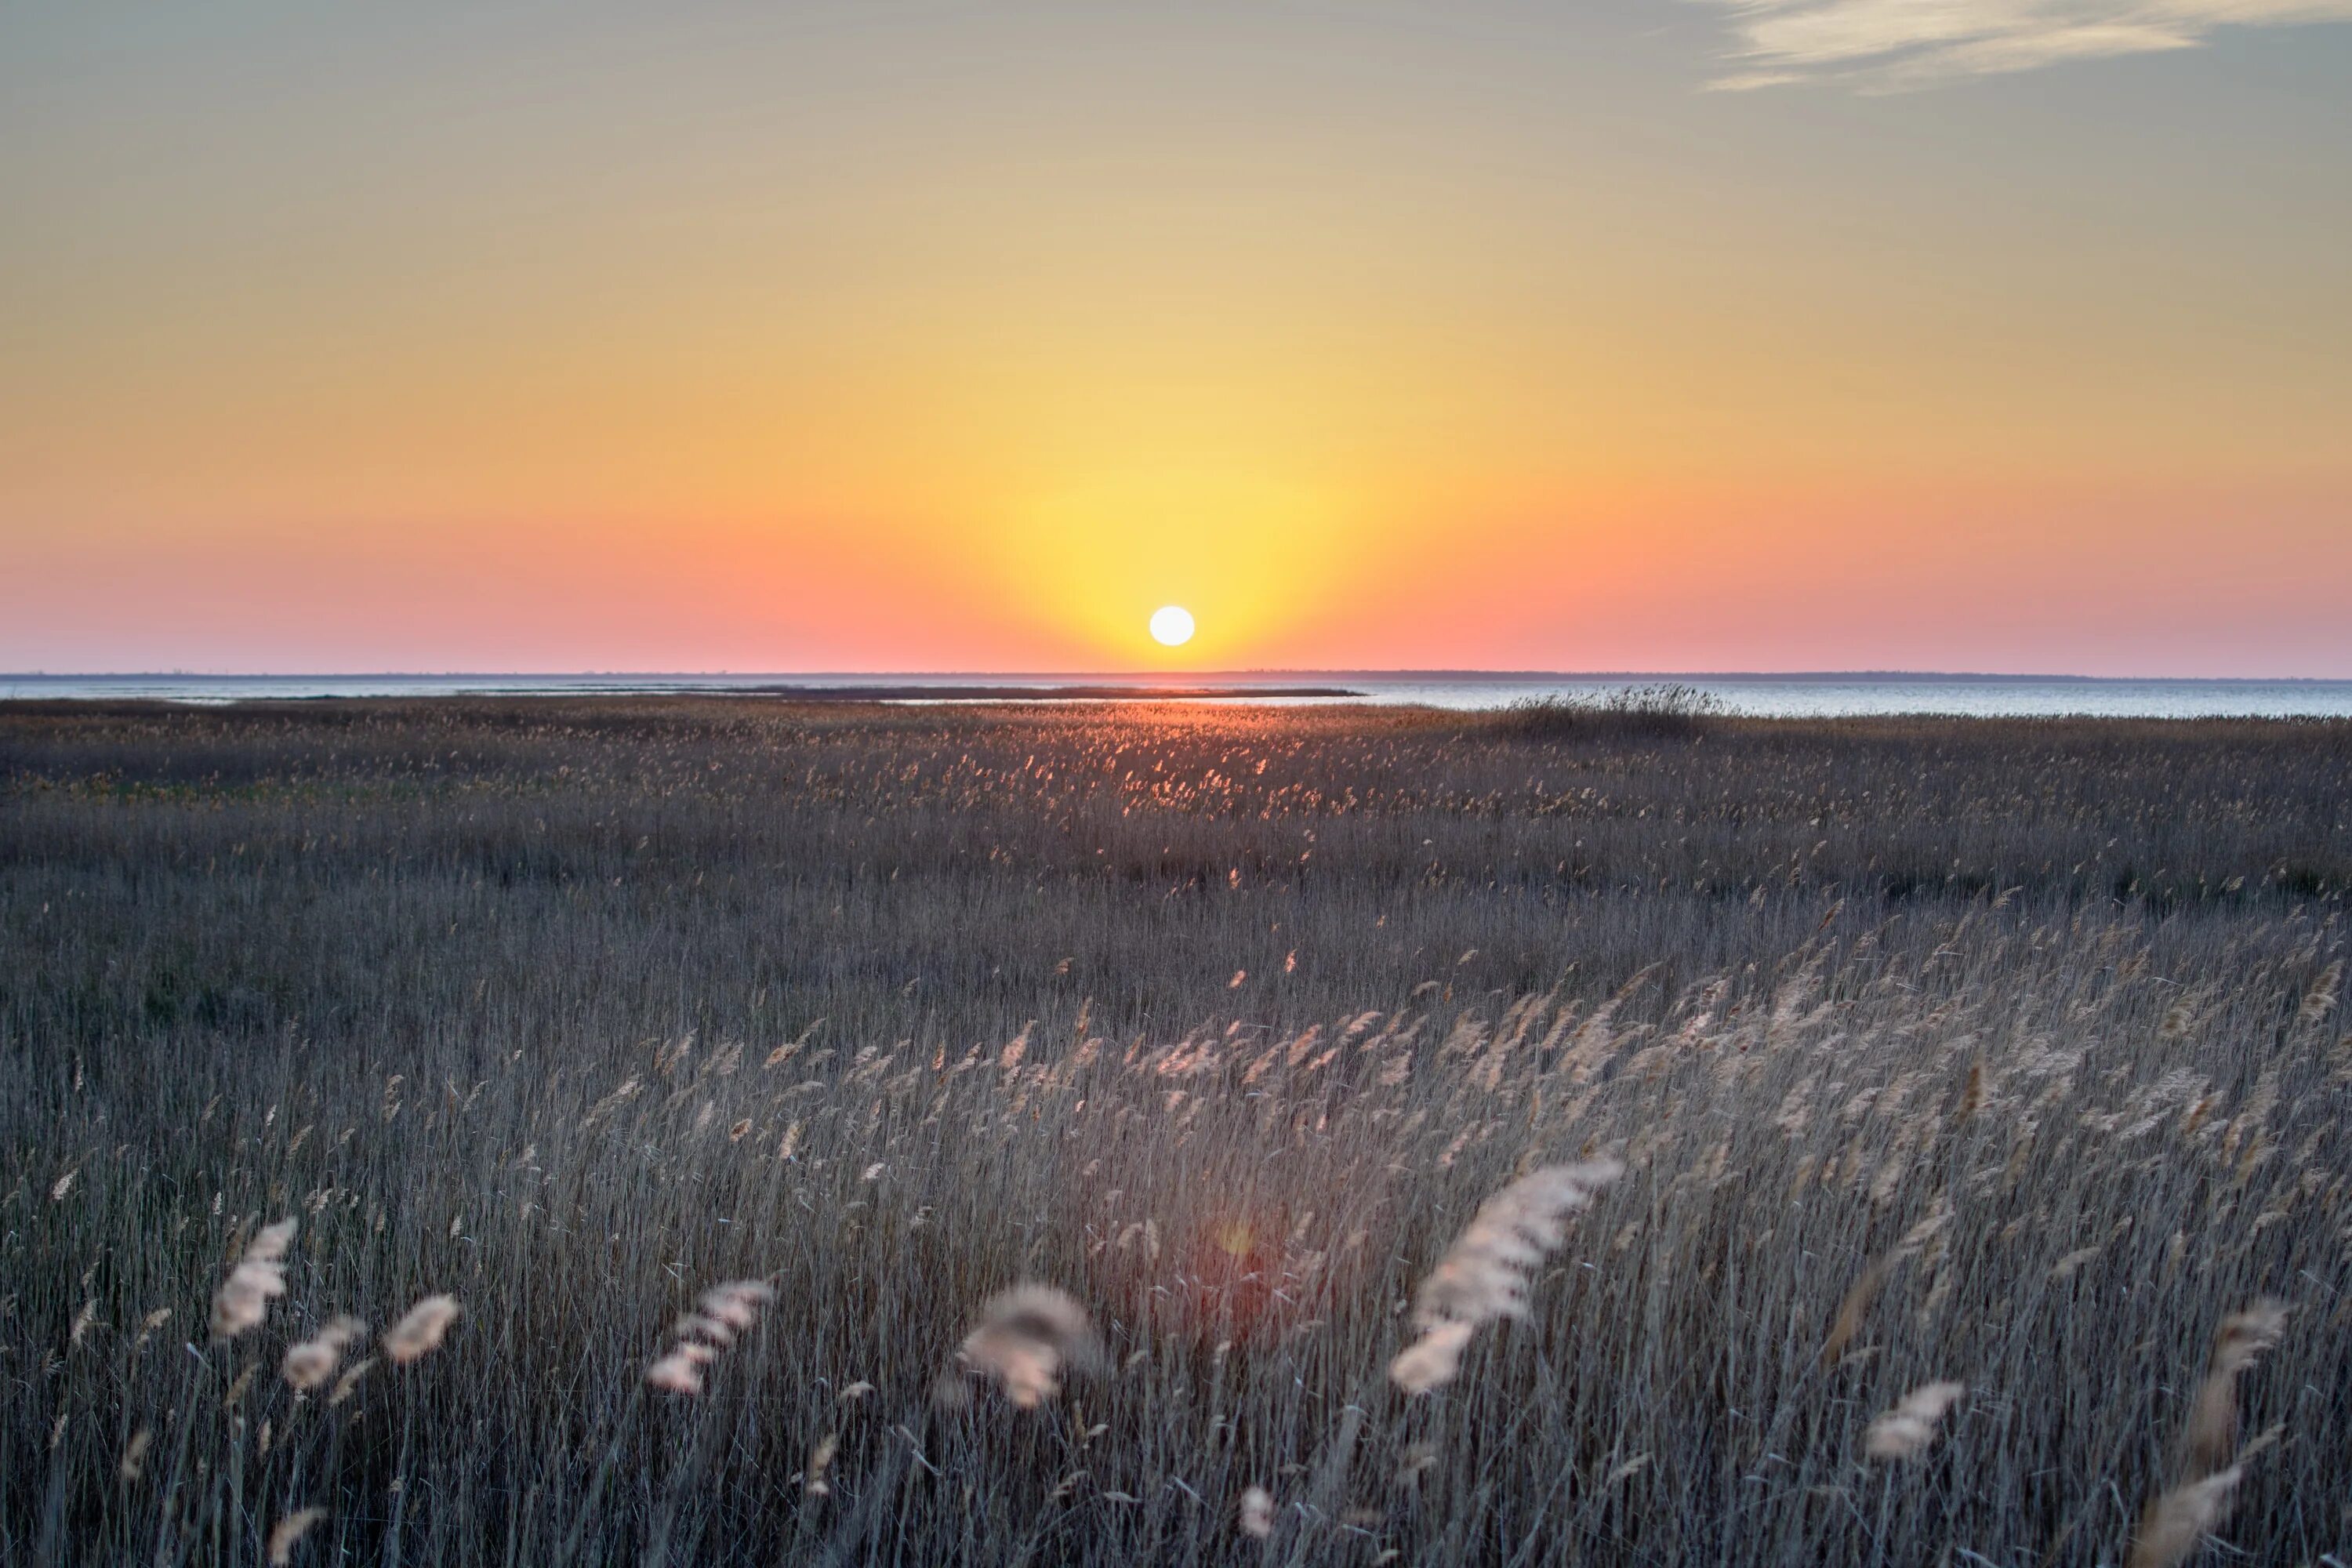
x: 740, y: 1132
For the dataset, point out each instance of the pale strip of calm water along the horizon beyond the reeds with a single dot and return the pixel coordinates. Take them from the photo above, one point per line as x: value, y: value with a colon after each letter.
x: 1753, y: 695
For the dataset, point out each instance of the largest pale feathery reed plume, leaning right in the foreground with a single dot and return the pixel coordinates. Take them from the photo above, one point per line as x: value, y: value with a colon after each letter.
x: 1490, y: 1268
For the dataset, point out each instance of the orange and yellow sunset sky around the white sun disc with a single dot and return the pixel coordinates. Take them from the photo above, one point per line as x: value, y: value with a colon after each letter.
x: 1626, y: 335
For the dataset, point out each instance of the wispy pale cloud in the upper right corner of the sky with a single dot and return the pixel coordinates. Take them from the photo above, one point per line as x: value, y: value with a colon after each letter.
x: 1887, y: 46
